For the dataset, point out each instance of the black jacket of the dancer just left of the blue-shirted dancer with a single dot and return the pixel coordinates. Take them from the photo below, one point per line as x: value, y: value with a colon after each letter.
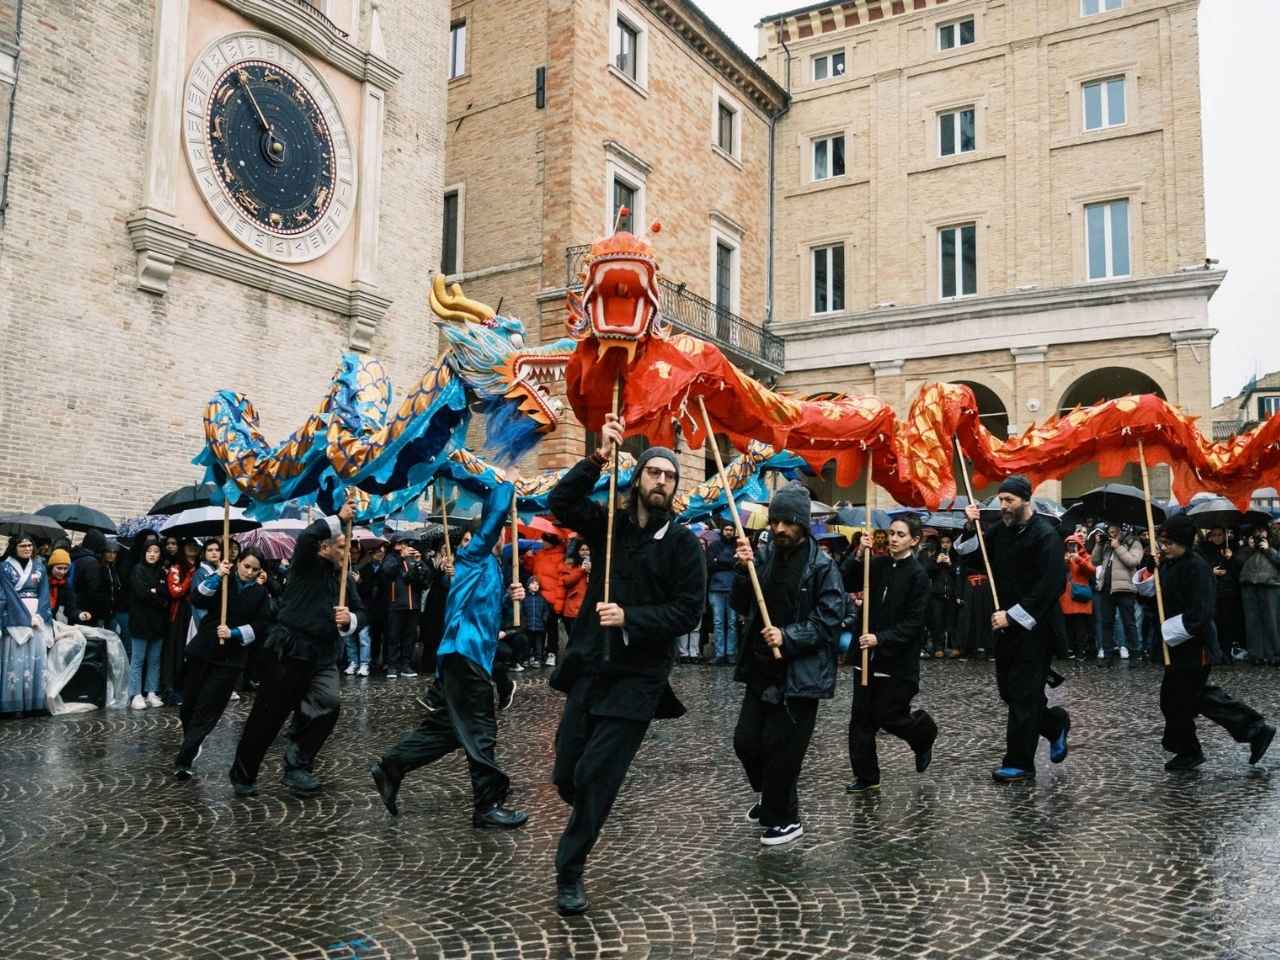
x: 305, y: 629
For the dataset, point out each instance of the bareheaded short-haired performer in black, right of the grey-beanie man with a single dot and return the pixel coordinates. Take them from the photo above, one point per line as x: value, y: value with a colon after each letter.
x: 899, y: 606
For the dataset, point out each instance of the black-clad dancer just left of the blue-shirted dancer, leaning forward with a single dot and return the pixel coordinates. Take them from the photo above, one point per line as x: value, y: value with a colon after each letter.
x: 307, y: 641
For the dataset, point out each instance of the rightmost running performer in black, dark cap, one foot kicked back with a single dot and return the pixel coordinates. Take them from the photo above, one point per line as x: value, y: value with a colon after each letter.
x: 1187, y: 588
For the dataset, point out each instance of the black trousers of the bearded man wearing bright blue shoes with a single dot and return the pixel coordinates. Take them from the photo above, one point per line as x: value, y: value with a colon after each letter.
x: 1022, y: 670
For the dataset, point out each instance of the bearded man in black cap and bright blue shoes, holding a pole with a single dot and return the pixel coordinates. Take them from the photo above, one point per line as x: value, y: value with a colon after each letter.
x: 1030, y: 570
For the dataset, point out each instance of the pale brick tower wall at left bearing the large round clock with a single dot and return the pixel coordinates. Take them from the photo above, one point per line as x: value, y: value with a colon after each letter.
x: 138, y: 276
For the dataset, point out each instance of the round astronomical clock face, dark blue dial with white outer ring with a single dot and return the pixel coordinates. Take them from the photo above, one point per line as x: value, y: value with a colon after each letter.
x: 268, y: 148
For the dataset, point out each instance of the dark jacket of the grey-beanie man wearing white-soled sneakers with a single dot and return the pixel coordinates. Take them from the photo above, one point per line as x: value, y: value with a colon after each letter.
x: 812, y: 641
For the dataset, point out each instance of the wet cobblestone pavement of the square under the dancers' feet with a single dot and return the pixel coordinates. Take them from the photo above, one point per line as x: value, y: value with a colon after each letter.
x: 104, y: 856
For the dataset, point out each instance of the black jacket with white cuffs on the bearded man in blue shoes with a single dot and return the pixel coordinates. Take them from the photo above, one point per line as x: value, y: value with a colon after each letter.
x: 1030, y: 566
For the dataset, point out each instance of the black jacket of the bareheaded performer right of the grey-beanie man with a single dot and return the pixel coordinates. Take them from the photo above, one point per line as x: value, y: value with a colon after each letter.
x: 900, y: 600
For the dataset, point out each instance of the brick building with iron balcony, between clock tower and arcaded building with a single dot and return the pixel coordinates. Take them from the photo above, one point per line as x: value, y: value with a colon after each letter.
x: 605, y: 104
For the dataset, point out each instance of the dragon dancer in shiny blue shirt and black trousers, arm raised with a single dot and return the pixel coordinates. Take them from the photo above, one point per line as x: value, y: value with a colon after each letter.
x: 463, y: 705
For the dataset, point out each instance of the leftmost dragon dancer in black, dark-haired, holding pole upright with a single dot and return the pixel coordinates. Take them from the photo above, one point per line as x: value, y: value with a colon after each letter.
x: 217, y: 655
